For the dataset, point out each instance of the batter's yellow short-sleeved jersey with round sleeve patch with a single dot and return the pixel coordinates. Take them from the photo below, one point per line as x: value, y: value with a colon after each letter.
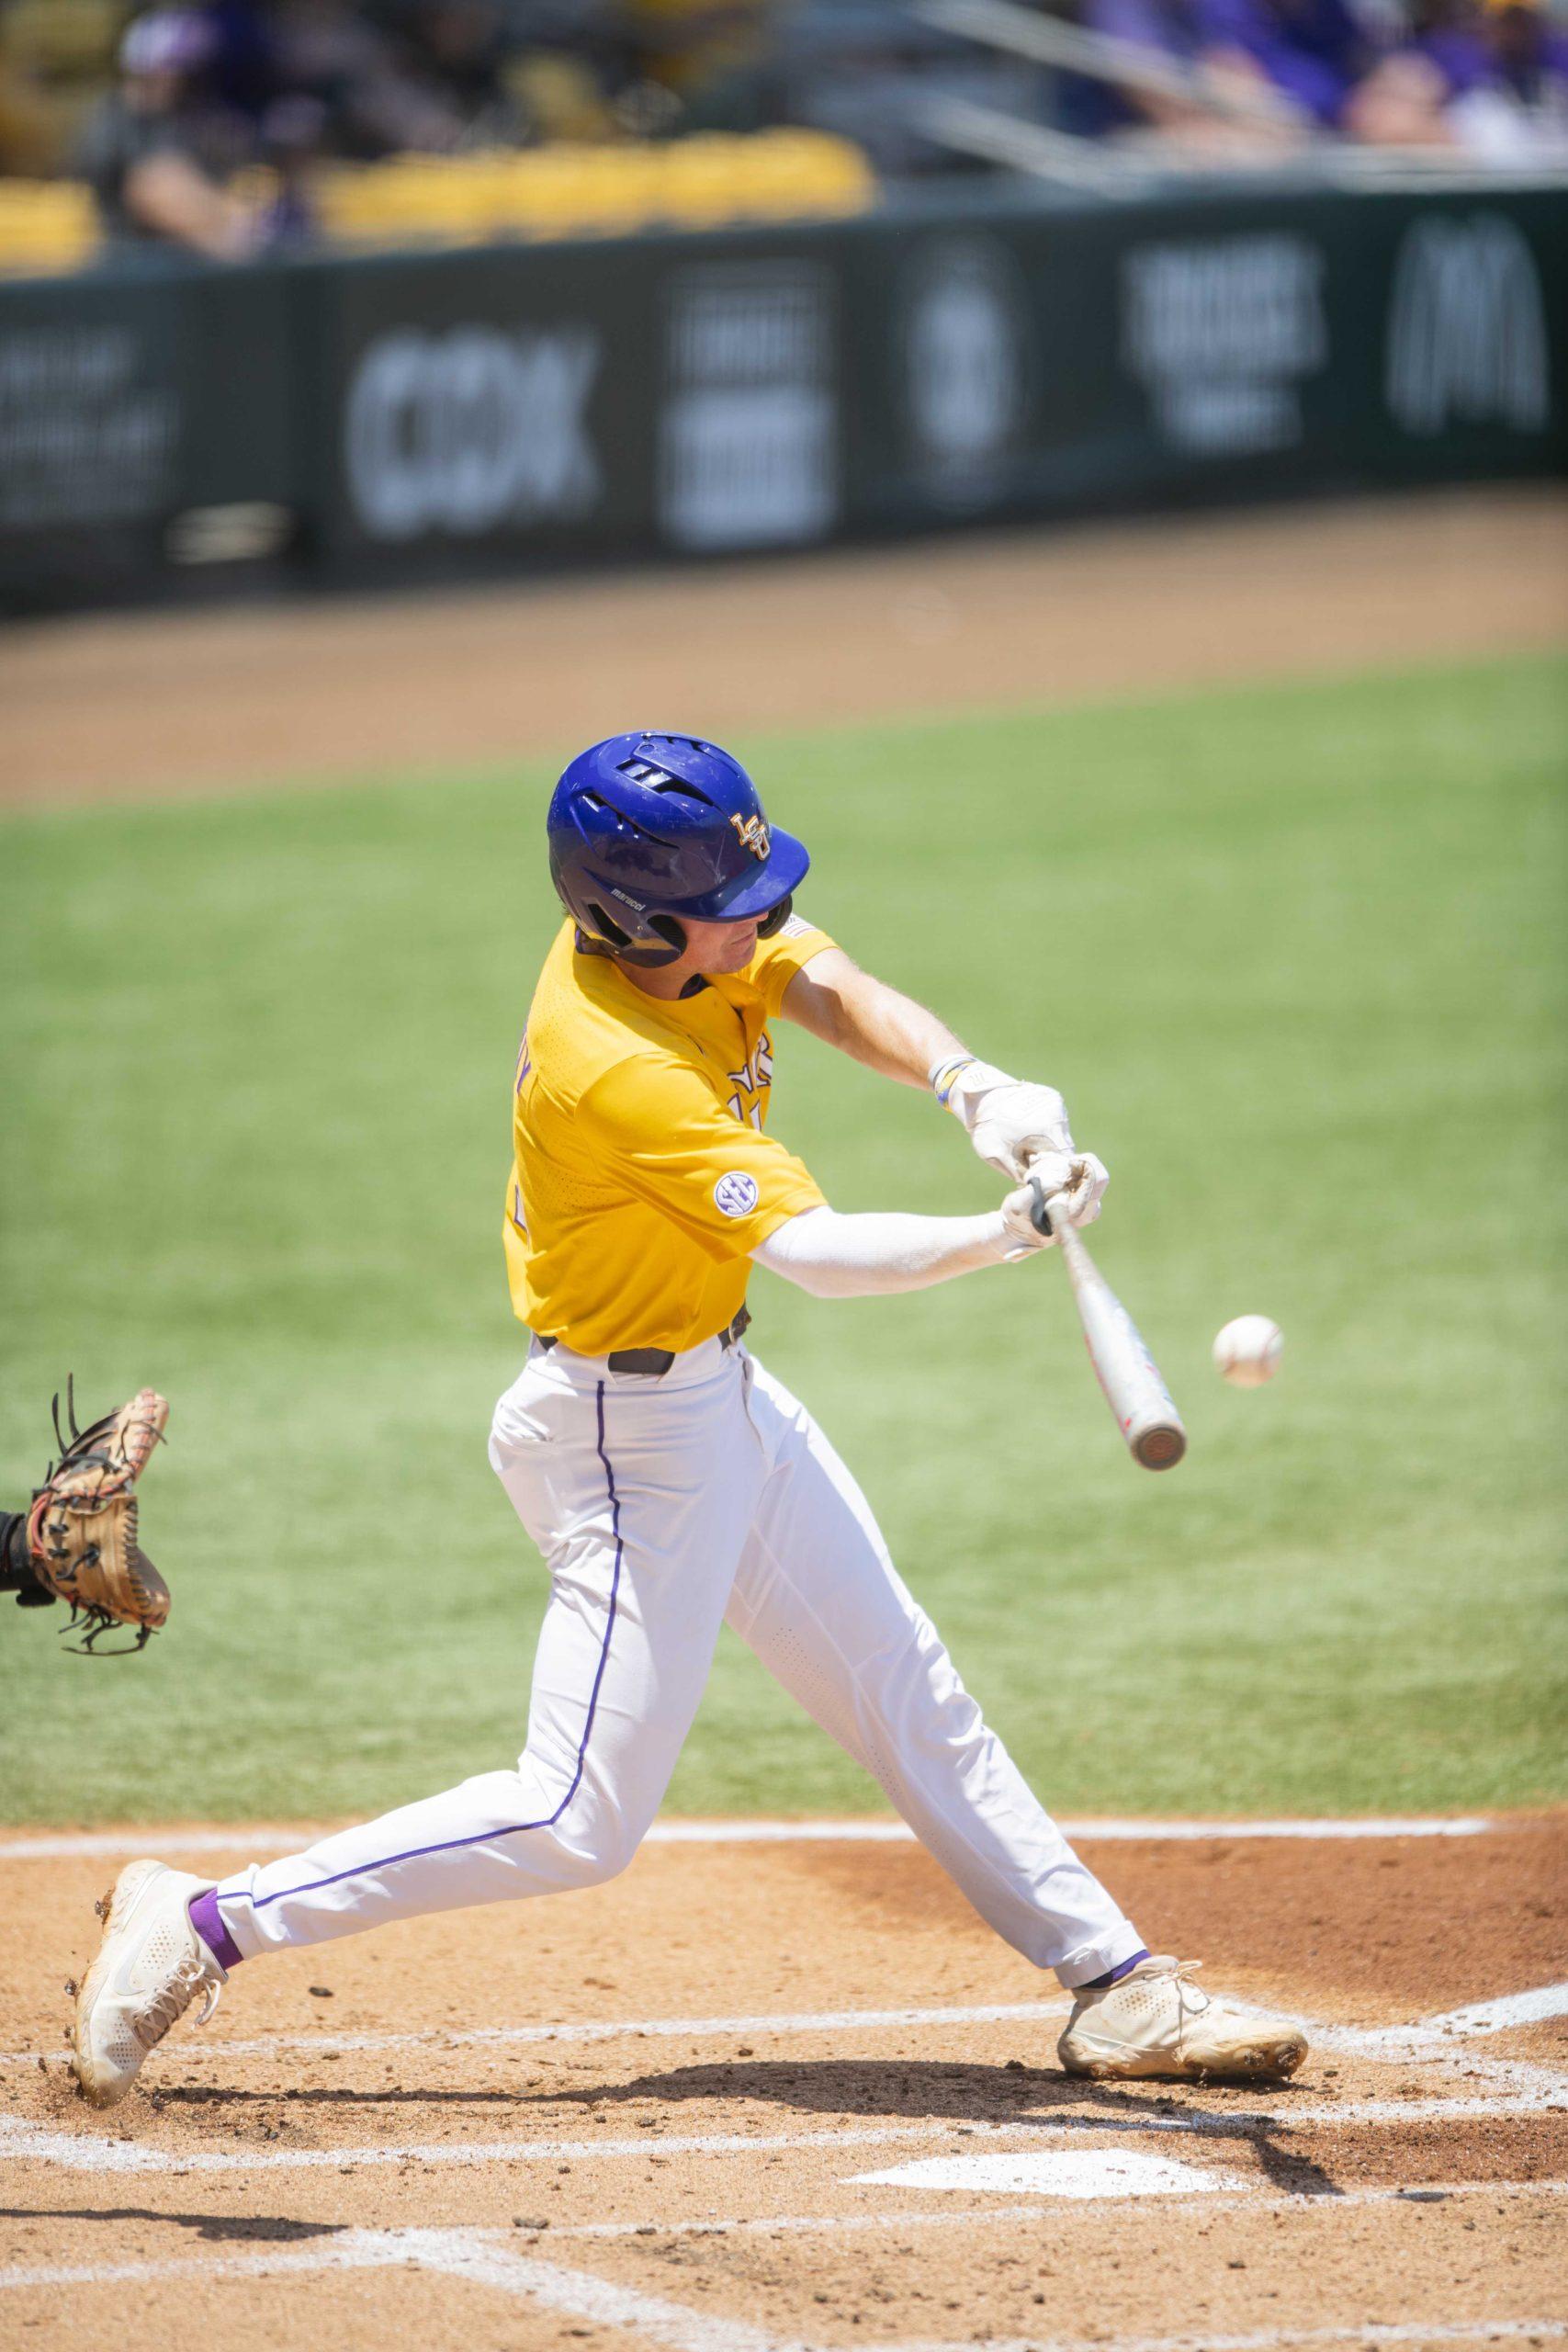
x: 643, y: 1172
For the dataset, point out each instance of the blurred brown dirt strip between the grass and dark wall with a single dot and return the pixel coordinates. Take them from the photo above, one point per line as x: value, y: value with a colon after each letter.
x: 135, y: 707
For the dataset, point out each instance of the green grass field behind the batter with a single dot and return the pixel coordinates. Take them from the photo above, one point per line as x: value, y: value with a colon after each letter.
x: 1294, y: 956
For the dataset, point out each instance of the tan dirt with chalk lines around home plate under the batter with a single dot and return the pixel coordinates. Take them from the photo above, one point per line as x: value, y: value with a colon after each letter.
x: 657, y: 2111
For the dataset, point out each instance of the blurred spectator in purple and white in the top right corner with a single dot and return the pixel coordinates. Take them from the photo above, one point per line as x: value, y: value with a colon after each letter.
x: 1489, y: 81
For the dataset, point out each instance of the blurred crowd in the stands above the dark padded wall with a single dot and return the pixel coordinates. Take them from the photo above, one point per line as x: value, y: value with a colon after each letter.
x: 239, y: 126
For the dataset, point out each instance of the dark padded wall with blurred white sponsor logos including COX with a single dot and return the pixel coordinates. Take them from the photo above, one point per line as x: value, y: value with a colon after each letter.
x: 321, y: 422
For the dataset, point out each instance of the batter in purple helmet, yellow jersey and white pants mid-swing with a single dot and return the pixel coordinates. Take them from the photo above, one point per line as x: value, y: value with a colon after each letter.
x: 666, y: 1476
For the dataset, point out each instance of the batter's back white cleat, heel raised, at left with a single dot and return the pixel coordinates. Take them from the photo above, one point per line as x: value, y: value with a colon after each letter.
x: 149, y: 1970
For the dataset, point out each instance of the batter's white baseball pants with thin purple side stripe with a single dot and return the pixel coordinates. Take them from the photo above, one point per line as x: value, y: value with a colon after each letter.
x: 666, y: 1506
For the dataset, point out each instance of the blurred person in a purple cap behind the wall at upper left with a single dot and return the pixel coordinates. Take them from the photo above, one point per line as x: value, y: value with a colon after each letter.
x: 161, y: 149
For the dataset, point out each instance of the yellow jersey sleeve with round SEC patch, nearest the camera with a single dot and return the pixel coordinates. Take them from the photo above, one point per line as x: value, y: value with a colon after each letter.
x: 657, y: 1125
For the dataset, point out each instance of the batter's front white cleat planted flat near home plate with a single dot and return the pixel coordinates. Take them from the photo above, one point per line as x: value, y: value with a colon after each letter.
x: 1155, y: 2024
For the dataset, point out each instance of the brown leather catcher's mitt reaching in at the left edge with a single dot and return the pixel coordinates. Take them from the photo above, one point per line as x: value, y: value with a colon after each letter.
x: 81, y: 1532
